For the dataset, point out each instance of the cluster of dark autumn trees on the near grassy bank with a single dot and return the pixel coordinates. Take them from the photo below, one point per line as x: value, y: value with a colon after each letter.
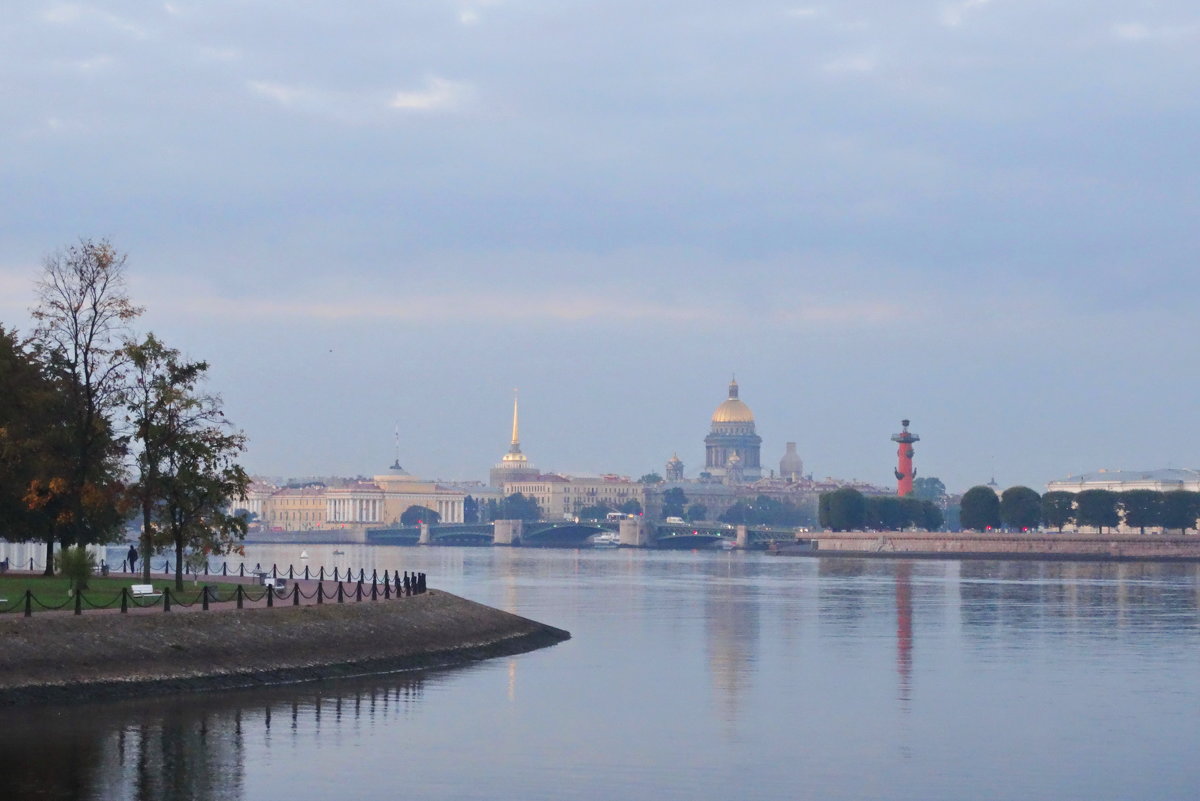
x: 99, y: 426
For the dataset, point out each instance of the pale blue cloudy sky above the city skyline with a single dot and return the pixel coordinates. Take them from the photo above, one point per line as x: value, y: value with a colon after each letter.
x: 980, y: 215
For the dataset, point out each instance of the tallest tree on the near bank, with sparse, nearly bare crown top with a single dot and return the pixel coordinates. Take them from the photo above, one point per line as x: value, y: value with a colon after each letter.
x: 82, y: 312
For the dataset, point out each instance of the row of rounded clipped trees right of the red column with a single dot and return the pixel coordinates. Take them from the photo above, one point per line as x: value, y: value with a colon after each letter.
x: 1022, y: 509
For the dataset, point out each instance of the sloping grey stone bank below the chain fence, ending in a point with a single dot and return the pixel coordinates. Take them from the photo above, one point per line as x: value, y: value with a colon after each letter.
x: 67, y: 658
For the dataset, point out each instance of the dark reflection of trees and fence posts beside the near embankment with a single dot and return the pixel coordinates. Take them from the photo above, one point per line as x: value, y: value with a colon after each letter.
x: 176, y: 749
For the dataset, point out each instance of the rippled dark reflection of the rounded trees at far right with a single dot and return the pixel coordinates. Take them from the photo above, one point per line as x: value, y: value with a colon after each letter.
x: 1018, y: 594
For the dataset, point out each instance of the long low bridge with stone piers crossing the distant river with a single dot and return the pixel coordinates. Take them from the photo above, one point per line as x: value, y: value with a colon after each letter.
x: 569, y: 534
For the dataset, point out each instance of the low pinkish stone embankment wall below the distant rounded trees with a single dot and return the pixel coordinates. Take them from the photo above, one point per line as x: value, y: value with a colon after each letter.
x: 1007, y: 546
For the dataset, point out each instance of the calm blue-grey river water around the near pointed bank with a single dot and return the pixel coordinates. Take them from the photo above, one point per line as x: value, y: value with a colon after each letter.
x: 698, y: 676
